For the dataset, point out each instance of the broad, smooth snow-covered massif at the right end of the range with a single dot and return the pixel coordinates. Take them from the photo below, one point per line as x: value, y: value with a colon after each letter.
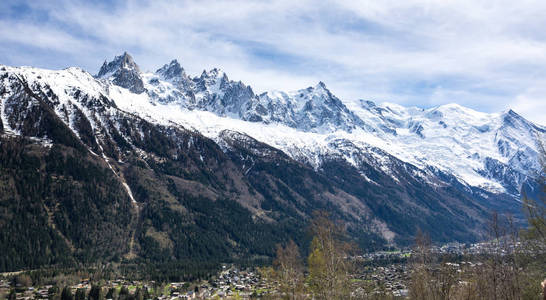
x: 495, y: 151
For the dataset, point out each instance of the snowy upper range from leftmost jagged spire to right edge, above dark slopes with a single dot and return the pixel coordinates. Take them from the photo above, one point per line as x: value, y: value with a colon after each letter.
x: 496, y: 152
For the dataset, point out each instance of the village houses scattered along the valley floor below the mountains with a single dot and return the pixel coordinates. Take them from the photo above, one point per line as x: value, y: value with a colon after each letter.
x: 381, y: 272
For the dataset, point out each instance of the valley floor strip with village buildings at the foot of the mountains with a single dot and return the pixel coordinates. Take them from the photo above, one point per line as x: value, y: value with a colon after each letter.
x: 383, y: 274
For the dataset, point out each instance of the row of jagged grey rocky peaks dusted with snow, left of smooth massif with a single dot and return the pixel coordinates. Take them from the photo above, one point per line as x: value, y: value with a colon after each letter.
x: 312, y: 109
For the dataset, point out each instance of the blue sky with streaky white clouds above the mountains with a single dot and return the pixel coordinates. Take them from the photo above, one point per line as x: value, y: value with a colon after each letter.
x: 487, y: 55
